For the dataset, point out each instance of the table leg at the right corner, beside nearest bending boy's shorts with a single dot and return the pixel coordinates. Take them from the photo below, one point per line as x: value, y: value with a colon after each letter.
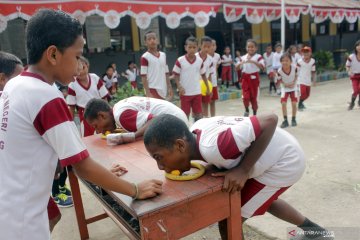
x: 234, y: 223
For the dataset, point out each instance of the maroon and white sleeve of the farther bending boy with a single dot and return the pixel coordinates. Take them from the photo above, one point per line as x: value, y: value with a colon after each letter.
x: 132, y: 120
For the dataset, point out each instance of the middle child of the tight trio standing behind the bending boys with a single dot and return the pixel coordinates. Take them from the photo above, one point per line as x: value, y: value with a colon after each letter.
x: 206, y: 45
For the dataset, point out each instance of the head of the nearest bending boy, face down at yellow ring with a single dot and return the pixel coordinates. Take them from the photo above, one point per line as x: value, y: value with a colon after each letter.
x: 169, y: 141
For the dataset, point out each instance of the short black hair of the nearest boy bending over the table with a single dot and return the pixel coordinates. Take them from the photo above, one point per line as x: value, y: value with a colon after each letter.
x: 164, y: 130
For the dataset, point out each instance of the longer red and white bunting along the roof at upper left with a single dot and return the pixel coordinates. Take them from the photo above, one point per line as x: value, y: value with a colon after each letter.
x: 112, y: 11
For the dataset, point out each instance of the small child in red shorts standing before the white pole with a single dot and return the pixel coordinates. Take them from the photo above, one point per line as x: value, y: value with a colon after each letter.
x: 287, y: 77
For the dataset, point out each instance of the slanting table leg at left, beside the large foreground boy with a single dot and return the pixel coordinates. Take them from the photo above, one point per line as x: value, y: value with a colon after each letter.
x: 78, y: 205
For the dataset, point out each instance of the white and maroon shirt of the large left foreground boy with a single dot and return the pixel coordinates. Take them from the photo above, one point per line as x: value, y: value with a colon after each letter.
x: 39, y: 130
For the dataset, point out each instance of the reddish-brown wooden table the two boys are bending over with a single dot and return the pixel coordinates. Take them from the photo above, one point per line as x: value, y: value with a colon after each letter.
x: 183, y: 208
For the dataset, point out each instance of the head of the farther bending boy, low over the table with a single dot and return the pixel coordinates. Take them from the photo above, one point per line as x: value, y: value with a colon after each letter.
x: 98, y: 114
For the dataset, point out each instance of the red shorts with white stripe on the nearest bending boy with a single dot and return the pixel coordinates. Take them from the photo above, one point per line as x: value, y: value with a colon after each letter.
x: 256, y: 198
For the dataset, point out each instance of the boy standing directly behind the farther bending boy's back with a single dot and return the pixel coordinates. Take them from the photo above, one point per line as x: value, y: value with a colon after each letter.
x: 154, y: 70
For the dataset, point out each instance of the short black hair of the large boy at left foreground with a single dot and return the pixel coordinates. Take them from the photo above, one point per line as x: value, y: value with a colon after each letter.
x: 49, y: 27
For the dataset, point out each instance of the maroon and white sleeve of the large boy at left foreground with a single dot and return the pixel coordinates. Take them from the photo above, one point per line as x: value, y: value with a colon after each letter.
x: 54, y: 123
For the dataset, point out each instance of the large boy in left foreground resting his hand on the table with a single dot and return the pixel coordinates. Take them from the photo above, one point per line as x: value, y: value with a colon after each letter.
x: 54, y: 45
